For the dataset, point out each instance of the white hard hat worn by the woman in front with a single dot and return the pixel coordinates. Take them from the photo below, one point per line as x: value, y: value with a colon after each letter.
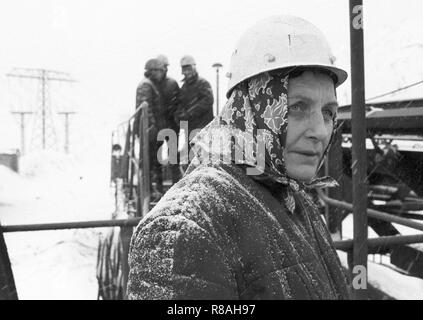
x: 281, y: 42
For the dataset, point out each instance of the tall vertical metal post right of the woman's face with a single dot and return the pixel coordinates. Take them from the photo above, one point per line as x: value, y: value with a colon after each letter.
x: 358, y: 124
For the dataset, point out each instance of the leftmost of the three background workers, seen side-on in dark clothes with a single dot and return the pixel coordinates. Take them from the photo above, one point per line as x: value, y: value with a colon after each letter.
x: 148, y: 91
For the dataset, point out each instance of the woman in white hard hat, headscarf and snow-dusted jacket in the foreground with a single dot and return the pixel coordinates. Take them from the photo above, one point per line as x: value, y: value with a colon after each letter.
x: 241, y: 224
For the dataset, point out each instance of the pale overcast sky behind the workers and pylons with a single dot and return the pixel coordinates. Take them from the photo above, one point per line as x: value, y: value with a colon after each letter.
x: 104, y: 45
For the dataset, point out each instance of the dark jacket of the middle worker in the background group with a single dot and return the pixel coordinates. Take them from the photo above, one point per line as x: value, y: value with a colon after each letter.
x: 170, y: 93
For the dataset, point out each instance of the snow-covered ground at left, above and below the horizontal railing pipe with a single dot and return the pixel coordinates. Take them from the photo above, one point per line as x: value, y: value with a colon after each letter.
x: 53, y: 187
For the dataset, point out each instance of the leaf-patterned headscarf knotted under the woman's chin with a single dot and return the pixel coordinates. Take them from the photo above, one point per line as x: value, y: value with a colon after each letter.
x: 256, y: 116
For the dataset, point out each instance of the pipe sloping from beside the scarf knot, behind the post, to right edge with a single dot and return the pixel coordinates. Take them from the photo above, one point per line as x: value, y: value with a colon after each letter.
x: 373, y: 213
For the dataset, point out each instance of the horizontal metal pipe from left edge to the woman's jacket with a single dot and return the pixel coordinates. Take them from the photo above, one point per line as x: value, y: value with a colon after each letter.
x: 71, y: 225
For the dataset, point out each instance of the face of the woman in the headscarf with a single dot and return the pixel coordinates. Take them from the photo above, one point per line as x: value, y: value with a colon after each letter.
x: 311, y: 107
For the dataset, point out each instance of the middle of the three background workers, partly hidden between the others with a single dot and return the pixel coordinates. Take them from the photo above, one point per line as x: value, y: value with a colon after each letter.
x: 170, y: 93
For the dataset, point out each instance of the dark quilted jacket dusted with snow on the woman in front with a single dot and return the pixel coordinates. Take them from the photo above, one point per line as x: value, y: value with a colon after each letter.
x: 218, y: 234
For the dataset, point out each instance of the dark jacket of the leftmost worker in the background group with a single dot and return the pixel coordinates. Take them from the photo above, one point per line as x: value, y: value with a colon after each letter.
x: 148, y: 92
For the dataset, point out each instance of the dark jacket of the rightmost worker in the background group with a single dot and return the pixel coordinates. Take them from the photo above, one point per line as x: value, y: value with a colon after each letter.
x: 196, y: 103
